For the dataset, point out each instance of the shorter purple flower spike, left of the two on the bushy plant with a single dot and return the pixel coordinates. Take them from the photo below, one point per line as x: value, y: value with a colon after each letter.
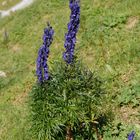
x: 43, y: 53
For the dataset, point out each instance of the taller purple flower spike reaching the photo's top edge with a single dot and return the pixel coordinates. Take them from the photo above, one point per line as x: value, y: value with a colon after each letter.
x: 73, y: 26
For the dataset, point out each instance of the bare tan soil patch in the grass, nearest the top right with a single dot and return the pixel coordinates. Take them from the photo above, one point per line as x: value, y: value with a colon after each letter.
x: 131, y: 23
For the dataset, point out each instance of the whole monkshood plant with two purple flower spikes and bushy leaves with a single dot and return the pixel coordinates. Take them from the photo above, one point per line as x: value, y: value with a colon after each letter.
x: 67, y: 102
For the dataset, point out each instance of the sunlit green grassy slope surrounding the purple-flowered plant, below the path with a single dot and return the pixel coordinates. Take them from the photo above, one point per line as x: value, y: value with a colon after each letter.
x: 107, y: 43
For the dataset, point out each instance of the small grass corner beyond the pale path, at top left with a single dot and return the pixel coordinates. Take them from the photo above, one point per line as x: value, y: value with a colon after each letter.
x: 6, y: 4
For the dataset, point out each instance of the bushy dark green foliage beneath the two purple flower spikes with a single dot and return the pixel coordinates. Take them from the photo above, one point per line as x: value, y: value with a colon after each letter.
x: 69, y: 104
